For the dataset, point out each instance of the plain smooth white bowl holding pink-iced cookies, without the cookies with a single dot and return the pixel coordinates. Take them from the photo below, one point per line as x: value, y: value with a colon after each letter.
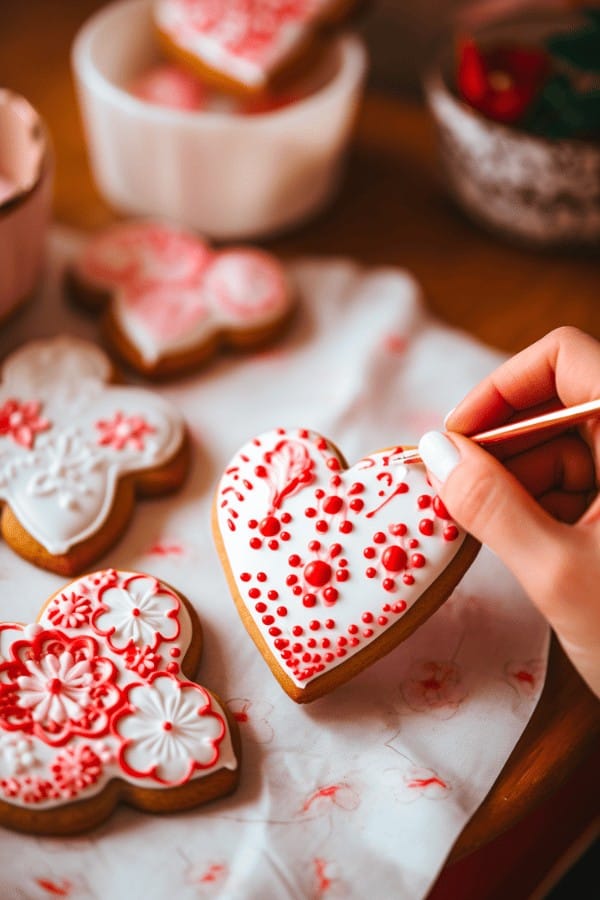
x: 228, y: 176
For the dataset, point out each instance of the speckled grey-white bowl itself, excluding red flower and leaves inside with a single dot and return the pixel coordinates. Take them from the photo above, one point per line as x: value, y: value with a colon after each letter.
x: 536, y: 190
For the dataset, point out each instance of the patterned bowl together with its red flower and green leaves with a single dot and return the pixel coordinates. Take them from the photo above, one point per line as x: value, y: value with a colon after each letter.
x: 516, y: 106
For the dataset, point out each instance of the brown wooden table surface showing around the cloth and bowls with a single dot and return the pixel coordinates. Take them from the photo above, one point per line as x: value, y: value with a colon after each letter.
x: 391, y: 210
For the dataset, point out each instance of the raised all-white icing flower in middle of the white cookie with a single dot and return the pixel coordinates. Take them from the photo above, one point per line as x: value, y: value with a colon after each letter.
x: 69, y: 462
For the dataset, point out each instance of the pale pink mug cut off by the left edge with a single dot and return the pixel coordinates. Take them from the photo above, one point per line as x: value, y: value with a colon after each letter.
x: 26, y: 173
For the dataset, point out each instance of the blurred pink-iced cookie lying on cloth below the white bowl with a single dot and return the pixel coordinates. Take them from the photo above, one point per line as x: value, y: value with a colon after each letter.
x: 171, y: 301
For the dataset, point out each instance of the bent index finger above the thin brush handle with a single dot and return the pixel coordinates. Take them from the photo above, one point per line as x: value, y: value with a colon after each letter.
x: 563, y: 367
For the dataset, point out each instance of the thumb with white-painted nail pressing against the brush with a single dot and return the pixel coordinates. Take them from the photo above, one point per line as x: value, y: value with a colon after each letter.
x: 491, y: 504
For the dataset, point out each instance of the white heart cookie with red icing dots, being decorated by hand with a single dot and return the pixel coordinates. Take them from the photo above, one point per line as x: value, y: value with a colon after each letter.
x: 331, y: 567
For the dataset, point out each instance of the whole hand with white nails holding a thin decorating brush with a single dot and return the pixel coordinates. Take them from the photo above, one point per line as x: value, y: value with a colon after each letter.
x: 534, y: 500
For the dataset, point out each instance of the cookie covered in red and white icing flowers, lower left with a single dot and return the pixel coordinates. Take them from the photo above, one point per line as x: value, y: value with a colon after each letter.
x: 96, y: 706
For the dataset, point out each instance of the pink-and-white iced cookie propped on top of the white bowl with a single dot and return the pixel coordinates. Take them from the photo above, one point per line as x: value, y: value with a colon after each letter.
x: 242, y: 44
